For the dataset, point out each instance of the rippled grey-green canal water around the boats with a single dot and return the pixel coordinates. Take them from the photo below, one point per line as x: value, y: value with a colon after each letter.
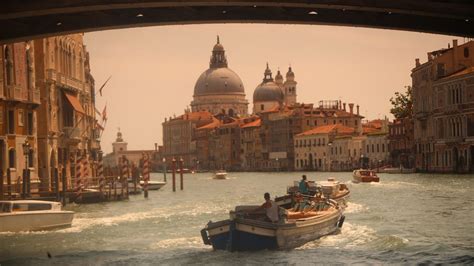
x: 415, y: 218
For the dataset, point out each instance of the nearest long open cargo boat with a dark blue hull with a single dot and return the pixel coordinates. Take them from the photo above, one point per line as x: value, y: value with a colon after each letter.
x: 245, y: 232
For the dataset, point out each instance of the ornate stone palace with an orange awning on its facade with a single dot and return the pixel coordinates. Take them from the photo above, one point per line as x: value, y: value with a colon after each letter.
x: 67, y: 127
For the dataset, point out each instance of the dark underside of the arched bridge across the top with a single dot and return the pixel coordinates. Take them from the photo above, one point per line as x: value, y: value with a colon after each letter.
x: 28, y: 19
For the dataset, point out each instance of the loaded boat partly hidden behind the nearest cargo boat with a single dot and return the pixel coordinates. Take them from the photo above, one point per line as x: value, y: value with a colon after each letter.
x: 329, y: 189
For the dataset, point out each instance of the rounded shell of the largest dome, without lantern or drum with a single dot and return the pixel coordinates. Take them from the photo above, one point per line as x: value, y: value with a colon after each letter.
x: 220, y: 80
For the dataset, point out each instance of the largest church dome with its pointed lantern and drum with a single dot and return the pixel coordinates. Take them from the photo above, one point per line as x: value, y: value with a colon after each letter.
x: 219, y: 89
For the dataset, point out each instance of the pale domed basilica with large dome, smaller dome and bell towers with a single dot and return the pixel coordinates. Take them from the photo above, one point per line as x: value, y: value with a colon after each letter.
x: 220, y: 90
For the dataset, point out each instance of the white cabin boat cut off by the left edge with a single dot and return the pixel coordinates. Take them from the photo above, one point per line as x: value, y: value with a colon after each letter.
x: 32, y: 215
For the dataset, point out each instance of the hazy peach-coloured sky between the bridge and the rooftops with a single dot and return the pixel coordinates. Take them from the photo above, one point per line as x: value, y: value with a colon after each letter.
x: 154, y: 69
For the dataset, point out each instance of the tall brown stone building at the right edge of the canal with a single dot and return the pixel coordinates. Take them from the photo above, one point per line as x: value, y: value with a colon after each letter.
x: 443, y: 106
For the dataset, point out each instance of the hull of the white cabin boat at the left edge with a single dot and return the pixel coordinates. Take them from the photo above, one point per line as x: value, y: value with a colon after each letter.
x: 35, y: 221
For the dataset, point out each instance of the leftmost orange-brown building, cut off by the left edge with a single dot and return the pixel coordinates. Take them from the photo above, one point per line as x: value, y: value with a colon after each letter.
x: 19, y: 101
